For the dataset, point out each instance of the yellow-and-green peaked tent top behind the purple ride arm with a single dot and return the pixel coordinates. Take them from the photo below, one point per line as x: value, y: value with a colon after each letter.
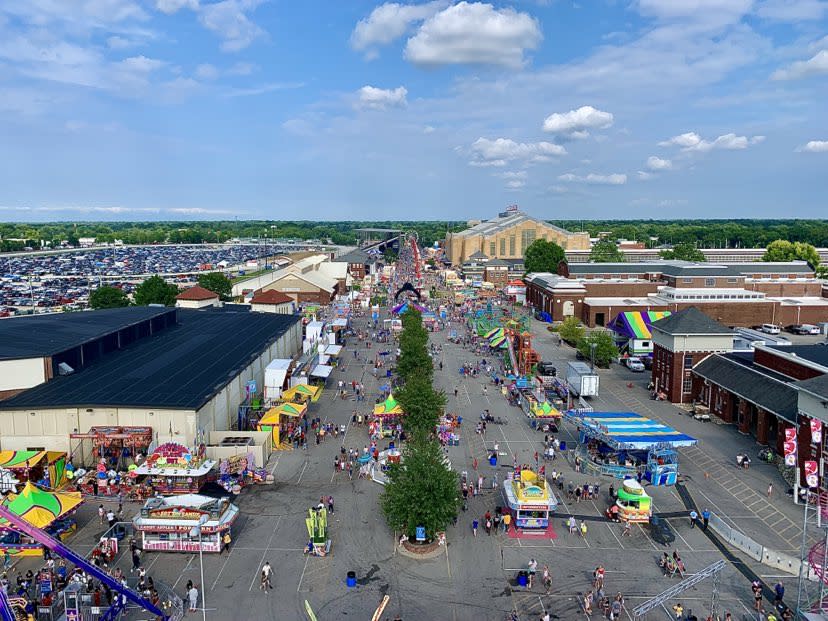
x: 45, y: 509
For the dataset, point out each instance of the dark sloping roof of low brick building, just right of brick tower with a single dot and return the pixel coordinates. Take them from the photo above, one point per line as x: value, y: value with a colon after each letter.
x: 764, y: 391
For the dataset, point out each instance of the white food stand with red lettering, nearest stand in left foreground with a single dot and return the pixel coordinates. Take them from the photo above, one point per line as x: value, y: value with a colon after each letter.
x: 166, y: 523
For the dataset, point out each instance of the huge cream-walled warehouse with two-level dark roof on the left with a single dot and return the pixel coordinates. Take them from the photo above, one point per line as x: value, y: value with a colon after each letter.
x: 184, y: 373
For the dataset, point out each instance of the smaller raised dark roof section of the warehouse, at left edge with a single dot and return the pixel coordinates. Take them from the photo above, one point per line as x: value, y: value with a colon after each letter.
x: 46, y: 335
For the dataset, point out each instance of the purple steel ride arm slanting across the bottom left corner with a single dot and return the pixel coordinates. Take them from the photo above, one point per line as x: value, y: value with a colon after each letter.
x: 57, y: 547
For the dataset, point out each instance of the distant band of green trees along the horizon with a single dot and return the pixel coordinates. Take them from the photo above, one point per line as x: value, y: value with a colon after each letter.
x: 705, y: 233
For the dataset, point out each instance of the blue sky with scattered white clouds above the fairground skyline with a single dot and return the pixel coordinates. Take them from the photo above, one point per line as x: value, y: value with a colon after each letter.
x: 349, y: 109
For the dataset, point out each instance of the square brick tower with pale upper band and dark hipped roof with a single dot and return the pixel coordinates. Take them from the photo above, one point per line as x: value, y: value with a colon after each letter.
x: 681, y: 341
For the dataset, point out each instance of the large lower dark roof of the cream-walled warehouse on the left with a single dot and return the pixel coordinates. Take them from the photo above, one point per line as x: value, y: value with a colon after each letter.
x: 181, y: 367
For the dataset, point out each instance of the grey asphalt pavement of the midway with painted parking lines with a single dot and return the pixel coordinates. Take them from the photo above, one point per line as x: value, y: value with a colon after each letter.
x: 474, y: 579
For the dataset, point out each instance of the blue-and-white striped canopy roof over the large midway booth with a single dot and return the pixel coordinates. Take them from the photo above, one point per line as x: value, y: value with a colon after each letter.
x: 628, y: 430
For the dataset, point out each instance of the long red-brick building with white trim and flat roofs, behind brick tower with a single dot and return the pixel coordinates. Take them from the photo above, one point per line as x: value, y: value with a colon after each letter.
x: 743, y: 294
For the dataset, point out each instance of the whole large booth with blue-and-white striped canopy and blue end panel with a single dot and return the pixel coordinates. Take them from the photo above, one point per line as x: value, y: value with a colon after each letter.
x: 622, y: 444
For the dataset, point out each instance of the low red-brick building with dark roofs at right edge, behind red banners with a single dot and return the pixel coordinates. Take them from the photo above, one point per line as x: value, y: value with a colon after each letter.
x: 761, y: 392
